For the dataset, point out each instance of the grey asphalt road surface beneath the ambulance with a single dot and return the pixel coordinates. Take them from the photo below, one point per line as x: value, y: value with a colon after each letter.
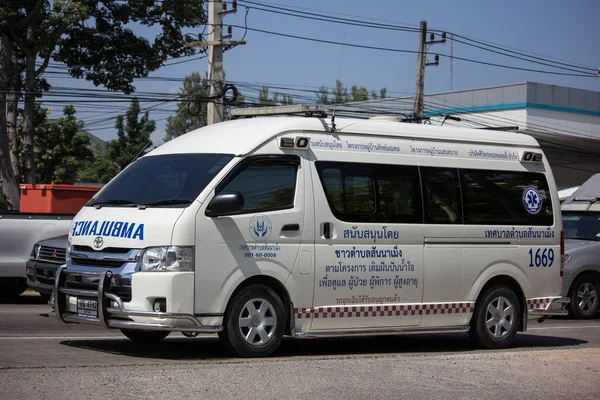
x: 44, y: 359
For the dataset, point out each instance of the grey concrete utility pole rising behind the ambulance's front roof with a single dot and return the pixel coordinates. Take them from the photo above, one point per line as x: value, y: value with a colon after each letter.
x: 215, y: 44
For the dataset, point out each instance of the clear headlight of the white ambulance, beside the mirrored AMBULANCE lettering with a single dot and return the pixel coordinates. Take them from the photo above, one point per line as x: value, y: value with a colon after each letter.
x: 168, y: 259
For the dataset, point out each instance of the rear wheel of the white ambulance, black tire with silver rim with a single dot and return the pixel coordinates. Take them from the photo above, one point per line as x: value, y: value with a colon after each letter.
x: 504, y: 324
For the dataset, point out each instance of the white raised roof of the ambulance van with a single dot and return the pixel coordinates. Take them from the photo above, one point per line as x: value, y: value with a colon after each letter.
x: 244, y: 135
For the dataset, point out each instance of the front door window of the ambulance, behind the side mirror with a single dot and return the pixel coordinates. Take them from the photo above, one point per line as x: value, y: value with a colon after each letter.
x: 266, y: 185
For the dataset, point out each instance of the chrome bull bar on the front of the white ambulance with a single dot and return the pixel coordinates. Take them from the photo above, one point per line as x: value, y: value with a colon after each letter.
x: 118, y: 318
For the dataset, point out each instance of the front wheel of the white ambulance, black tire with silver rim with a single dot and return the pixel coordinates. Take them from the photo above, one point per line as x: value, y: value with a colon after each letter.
x: 262, y: 334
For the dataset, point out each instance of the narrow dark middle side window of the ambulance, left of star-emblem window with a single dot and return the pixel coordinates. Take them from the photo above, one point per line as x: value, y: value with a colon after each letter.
x: 441, y: 195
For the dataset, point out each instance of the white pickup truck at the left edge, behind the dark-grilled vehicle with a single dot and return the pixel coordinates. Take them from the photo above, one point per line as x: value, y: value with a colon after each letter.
x: 18, y: 233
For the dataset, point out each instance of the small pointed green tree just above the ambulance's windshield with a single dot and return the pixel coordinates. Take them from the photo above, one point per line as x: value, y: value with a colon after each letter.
x: 133, y: 135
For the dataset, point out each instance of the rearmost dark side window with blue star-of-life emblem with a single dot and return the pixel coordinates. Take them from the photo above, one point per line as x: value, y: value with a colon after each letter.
x: 505, y: 198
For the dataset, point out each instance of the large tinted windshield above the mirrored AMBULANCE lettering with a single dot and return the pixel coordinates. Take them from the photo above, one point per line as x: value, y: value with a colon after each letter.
x: 173, y: 180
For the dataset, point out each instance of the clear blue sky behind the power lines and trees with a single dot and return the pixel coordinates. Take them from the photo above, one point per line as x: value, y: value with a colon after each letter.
x: 566, y: 30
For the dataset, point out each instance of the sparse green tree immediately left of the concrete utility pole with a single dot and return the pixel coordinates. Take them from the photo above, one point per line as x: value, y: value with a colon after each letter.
x: 190, y: 114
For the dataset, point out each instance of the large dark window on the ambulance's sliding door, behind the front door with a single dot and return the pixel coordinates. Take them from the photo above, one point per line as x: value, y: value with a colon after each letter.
x: 371, y: 192
